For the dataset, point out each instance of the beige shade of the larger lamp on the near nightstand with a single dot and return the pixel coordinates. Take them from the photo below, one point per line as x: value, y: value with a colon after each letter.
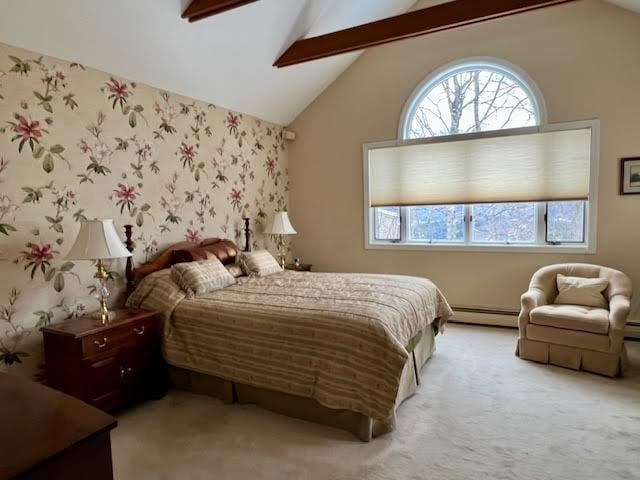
x: 96, y: 240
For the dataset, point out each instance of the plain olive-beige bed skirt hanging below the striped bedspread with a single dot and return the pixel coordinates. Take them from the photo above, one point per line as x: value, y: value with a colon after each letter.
x: 362, y: 426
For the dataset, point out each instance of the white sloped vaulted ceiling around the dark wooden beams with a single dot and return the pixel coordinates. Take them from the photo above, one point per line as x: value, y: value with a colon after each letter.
x: 226, y: 59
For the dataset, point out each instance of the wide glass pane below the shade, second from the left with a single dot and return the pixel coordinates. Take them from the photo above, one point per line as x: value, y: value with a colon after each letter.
x: 443, y: 223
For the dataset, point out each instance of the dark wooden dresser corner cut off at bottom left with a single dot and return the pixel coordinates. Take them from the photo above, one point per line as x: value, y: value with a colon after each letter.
x: 47, y: 435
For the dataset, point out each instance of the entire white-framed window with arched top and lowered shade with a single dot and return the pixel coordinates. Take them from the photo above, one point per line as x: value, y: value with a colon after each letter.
x: 450, y: 129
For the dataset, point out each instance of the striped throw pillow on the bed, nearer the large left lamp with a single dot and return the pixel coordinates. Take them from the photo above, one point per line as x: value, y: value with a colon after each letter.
x: 197, y: 278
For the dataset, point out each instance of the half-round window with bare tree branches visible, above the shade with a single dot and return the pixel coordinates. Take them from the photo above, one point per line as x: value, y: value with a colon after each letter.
x: 470, y: 97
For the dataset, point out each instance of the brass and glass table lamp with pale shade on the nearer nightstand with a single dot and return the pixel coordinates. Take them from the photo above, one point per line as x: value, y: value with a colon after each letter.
x: 97, y: 240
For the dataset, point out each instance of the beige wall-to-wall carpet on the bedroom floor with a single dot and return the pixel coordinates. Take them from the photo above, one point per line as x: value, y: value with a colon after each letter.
x: 481, y: 413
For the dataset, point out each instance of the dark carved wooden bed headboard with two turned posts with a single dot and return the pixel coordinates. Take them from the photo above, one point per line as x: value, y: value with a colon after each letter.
x: 224, y: 249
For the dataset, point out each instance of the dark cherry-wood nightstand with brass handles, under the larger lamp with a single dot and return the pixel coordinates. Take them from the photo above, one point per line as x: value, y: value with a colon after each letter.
x: 107, y: 366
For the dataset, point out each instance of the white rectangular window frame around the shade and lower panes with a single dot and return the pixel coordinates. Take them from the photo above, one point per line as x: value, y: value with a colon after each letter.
x: 588, y: 247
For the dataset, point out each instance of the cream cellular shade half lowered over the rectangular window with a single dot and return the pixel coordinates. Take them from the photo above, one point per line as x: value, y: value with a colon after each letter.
x: 531, y: 167
